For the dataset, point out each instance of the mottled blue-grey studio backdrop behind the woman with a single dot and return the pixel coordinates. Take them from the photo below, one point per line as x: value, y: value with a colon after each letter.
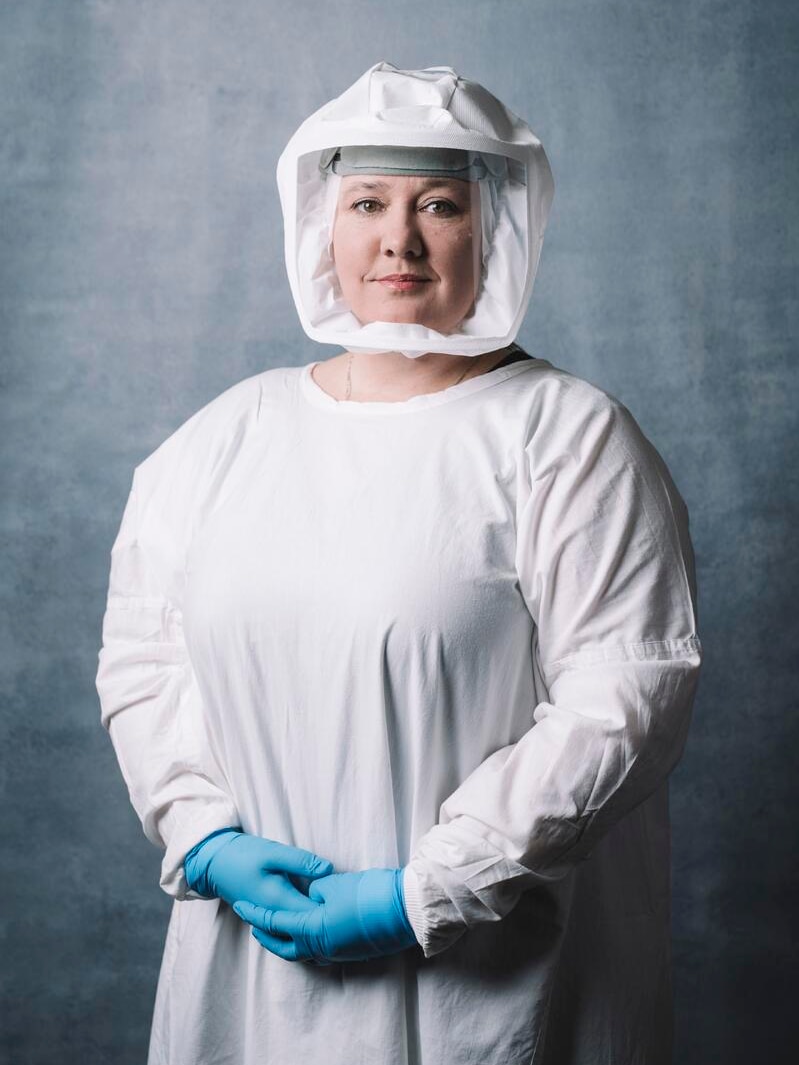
x: 142, y: 274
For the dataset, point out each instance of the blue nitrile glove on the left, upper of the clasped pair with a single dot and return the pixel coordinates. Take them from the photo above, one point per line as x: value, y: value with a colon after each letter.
x: 233, y: 865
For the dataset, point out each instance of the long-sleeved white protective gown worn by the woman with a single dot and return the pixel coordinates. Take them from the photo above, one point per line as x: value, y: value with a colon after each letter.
x: 454, y: 634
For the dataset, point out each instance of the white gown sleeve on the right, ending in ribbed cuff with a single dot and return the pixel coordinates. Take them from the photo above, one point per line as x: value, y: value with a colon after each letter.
x: 606, y: 566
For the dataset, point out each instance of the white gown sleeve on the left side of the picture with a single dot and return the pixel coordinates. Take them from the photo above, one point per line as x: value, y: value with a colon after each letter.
x: 152, y: 707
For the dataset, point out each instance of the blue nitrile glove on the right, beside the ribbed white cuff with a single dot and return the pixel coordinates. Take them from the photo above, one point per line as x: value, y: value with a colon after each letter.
x: 357, y: 916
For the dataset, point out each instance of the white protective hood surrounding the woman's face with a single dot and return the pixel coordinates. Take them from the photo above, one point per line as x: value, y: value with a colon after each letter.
x: 434, y: 108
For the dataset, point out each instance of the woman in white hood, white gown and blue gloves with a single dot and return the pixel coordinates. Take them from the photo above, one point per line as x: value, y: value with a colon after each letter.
x: 401, y: 647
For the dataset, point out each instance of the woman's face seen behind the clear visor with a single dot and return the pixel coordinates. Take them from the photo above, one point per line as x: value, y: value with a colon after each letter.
x: 409, y: 249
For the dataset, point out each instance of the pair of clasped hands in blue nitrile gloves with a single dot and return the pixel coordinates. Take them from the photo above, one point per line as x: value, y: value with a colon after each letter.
x: 345, y: 917
